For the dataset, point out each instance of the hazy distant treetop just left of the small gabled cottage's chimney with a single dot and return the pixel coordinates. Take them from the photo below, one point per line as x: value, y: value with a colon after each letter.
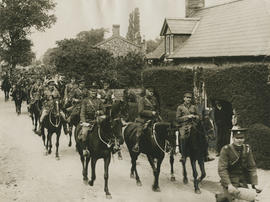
x: 93, y: 36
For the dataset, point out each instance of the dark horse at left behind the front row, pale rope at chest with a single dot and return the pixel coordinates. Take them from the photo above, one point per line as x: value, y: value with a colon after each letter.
x: 53, y: 123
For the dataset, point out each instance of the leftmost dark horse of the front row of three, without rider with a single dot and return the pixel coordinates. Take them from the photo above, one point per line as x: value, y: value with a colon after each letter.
x: 100, y: 142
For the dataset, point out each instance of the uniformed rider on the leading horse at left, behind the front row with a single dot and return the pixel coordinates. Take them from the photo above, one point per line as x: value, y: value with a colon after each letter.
x: 51, y: 96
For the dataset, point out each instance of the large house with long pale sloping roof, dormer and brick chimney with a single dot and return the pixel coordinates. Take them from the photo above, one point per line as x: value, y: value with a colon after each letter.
x: 233, y: 32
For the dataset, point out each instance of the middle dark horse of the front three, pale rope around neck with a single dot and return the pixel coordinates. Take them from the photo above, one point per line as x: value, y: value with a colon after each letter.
x: 153, y: 143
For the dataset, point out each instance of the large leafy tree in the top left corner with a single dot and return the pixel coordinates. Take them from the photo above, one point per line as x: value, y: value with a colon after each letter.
x: 18, y: 19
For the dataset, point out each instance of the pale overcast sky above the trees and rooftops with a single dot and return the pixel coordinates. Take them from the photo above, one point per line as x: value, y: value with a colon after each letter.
x: 74, y: 16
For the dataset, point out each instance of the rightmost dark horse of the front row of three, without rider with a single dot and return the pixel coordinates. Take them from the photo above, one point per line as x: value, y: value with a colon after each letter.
x: 195, y: 144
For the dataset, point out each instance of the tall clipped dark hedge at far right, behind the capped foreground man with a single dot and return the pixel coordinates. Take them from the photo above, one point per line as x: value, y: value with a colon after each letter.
x: 245, y: 87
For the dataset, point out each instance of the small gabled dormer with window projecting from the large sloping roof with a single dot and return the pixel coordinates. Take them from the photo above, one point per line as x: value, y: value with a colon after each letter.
x: 176, y: 31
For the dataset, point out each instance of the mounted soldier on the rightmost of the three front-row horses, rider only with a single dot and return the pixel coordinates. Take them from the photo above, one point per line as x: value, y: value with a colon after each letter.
x: 185, y: 114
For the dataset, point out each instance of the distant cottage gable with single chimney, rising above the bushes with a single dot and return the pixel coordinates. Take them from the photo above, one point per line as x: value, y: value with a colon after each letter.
x: 118, y: 45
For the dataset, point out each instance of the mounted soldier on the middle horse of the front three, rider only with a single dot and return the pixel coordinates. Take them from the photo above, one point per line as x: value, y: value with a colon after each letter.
x: 147, y: 111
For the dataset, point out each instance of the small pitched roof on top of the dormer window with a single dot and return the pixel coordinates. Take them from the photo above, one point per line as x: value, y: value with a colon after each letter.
x: 178, y: 25
